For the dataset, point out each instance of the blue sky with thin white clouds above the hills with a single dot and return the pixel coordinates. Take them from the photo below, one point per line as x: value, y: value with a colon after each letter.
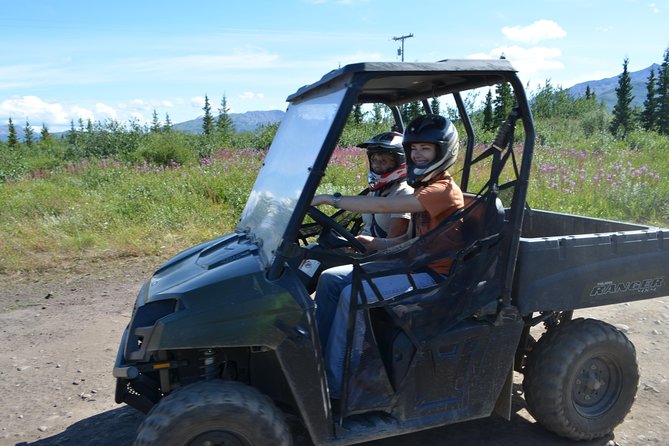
x: 64, y: 60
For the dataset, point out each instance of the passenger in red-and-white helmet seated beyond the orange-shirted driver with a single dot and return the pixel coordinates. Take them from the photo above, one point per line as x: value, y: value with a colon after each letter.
x: 387, y: 177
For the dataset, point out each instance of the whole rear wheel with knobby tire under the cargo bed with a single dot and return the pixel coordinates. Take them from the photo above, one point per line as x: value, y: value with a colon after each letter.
x: 581, y: 379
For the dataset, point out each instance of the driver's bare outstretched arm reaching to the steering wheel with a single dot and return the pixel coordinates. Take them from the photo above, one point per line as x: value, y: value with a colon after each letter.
x: 376, y: 205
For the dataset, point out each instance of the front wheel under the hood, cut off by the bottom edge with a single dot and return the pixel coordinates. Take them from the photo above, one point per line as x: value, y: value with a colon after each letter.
x: 214, y: 413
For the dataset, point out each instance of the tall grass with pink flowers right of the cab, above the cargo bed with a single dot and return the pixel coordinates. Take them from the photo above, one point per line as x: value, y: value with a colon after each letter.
x: 614, y: 183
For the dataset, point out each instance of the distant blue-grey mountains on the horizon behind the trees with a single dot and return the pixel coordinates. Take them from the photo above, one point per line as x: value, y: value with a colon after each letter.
x: 604, y: 89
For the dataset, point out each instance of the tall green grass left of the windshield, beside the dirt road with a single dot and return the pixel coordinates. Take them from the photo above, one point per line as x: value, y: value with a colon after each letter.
x: 106, y: 209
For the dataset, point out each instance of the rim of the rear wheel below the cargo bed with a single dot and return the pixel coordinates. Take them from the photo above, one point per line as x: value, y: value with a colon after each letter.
x: 596, y: 388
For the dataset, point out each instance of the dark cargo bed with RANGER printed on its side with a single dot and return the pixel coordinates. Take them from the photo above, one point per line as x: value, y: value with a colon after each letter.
x: 567, y: 262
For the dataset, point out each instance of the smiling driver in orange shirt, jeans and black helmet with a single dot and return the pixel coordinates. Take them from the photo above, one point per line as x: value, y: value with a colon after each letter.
x: 431, y: 146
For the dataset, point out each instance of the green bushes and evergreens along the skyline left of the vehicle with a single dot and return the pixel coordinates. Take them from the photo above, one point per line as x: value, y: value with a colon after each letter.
x: 156, y: 142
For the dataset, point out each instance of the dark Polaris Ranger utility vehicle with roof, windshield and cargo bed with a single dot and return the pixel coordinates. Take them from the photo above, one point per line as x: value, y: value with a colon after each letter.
x: 222, y: 342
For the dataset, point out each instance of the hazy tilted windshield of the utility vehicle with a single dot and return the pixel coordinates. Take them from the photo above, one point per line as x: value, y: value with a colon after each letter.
x: 281, y: 180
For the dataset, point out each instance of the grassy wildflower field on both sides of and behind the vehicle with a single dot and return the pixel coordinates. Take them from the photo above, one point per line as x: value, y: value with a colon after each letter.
x: 101, y: 209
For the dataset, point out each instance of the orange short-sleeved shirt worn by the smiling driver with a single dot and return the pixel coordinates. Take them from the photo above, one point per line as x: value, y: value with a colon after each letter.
x: 440, y: 199
